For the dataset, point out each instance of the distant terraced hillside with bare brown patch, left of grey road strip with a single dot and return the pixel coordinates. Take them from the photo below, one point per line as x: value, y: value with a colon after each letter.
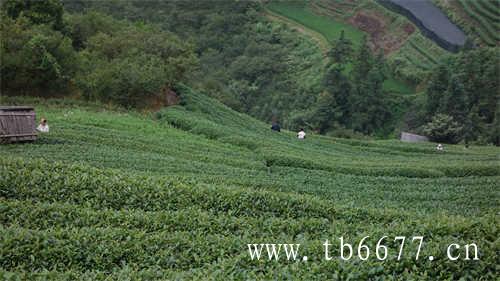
x: 408, y: 51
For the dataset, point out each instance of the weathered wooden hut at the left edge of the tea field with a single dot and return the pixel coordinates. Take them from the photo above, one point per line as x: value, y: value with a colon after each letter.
x: 17, y: 123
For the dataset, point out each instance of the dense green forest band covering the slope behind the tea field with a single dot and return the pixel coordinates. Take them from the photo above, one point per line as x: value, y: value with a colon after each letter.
x: 130, y: 52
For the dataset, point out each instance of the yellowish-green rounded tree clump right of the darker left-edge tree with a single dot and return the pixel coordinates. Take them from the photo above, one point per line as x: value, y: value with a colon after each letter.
x: 129, y: 64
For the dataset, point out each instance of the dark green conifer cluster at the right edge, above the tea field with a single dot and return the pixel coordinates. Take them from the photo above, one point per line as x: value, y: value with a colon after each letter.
x: 466, y: 89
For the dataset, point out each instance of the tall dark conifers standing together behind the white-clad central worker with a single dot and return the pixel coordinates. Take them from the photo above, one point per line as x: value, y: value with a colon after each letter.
x: 358, y: 102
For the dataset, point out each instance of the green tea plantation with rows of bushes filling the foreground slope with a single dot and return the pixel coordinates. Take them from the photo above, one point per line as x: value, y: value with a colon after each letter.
x: 178, y: 194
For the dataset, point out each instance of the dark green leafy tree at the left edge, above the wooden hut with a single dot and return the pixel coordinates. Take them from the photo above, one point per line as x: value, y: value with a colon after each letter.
x: 36, y: 59
